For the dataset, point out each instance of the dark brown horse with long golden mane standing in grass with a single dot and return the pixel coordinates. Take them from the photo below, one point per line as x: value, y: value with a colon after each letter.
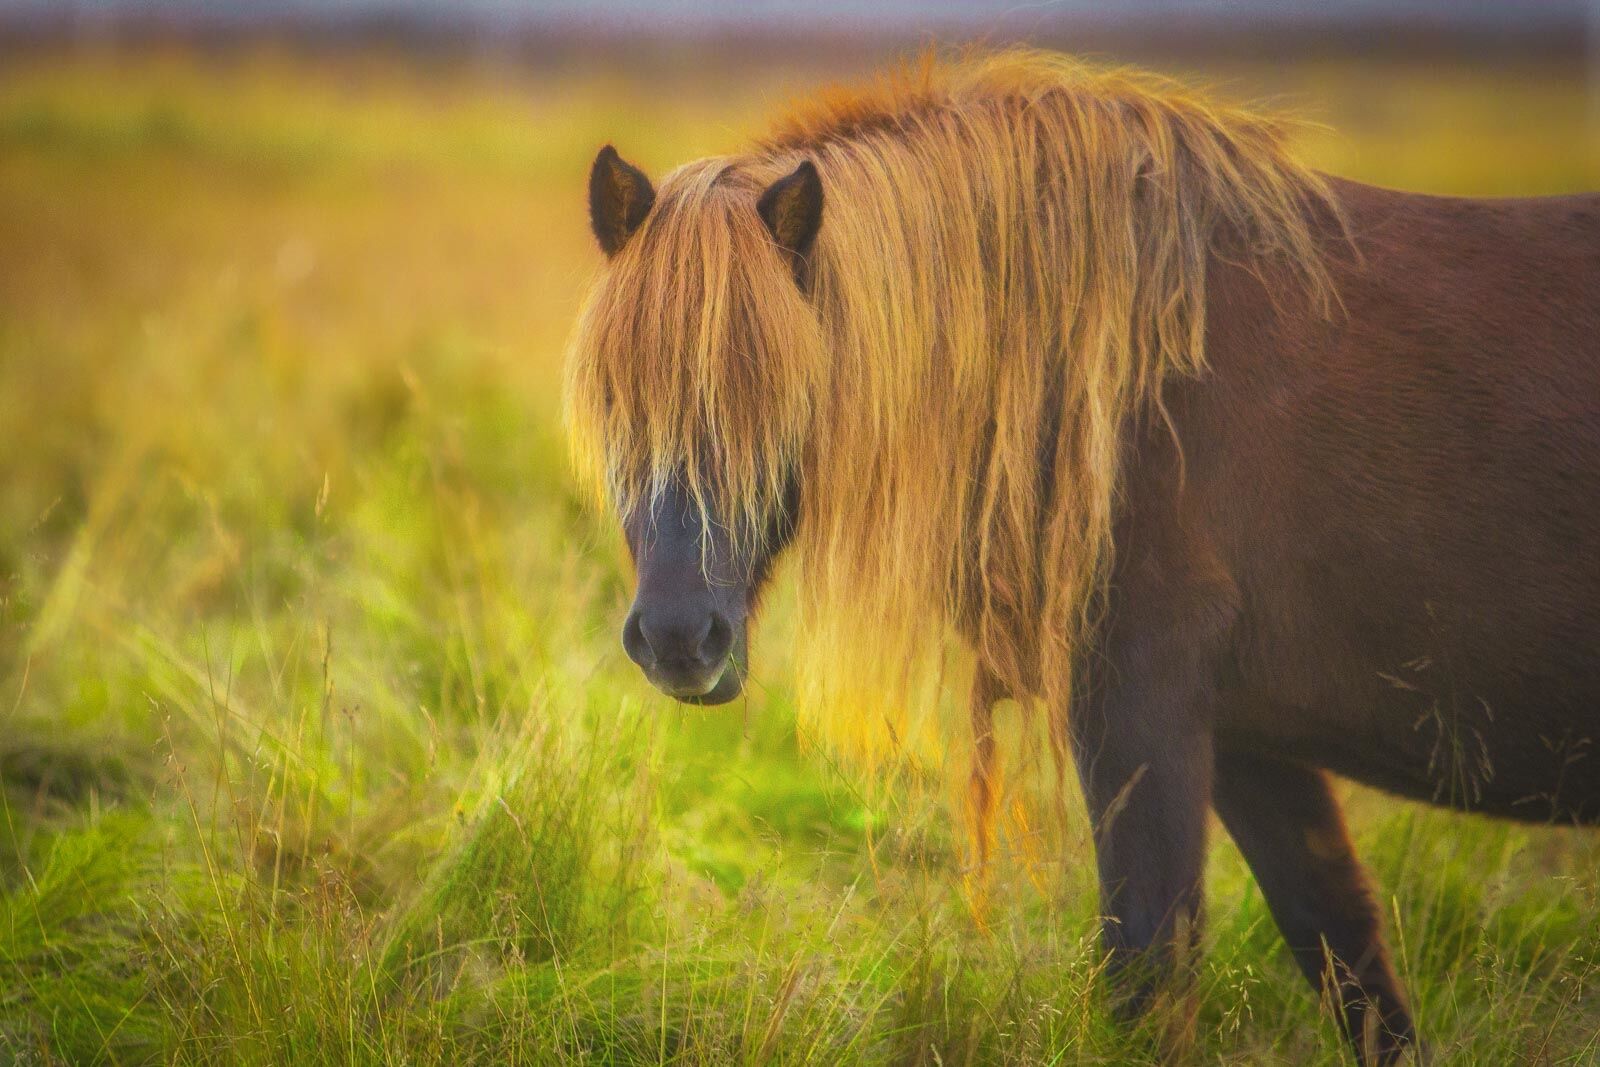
x: 1242, y: 474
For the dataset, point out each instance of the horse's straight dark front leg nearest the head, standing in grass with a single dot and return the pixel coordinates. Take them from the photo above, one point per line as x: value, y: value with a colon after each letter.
x: 1143, y: 748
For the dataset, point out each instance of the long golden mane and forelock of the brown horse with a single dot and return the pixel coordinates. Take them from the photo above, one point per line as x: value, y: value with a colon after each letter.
x: 1012, y: 263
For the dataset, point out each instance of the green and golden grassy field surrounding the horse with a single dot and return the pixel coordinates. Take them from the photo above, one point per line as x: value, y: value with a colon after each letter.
x: 316, y: 740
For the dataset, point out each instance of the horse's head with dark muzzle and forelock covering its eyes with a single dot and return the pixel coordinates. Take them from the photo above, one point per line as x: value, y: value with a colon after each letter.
x: 686, y: 394
